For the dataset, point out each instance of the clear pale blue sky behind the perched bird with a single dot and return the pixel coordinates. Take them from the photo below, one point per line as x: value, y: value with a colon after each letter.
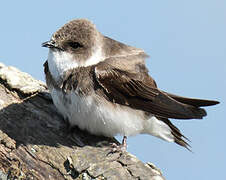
x: 186, y: 41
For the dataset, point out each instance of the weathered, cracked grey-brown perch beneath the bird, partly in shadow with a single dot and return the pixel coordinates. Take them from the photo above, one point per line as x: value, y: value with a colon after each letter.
x: 35, y: 142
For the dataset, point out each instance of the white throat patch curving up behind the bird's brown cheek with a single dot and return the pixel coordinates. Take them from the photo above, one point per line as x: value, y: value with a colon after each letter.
x: 61, y: 61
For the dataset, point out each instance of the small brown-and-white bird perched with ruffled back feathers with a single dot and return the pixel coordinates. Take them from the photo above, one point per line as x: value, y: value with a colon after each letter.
x: 103, y: 86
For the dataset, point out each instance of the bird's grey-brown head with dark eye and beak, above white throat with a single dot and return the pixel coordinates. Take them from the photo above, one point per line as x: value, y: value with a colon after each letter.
x: 78, y: 37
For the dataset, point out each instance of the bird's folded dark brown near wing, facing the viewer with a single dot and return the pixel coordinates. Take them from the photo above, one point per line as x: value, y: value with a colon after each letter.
x: 137, y: 91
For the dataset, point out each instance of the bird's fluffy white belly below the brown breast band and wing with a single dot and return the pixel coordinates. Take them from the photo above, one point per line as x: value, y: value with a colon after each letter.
x: 98, y: 116
